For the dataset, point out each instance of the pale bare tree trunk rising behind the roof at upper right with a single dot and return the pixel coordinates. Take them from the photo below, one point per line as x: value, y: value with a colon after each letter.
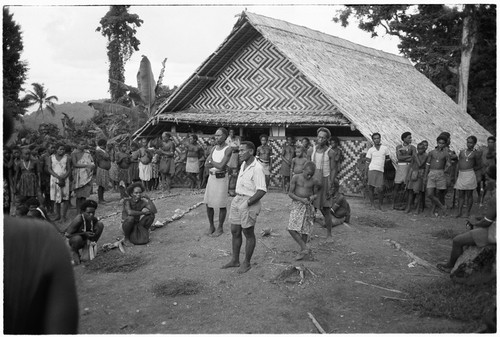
x: 468, y: 41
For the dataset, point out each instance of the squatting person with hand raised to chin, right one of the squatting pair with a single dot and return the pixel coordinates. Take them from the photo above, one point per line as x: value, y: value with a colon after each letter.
x: 138, y: 215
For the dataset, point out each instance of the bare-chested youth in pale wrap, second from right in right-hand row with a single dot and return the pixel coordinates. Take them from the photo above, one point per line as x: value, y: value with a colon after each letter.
x: 468, y: 161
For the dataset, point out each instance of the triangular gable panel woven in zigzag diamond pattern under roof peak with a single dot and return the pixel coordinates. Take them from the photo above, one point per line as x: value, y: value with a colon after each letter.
x: 260, y: 78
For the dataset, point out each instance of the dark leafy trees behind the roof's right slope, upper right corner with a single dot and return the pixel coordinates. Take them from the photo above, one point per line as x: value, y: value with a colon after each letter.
x: 445, y: 44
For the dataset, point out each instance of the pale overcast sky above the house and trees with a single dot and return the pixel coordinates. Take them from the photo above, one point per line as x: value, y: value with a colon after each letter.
x: 66, y: 53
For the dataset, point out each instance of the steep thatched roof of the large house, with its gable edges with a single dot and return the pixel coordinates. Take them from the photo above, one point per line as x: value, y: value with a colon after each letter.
x: 374, y: 90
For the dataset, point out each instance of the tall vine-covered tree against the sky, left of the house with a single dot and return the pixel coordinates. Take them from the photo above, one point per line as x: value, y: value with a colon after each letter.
x: 119, y: 26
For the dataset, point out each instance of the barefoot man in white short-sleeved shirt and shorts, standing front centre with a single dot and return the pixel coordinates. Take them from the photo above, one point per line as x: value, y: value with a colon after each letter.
x: 250, y: 188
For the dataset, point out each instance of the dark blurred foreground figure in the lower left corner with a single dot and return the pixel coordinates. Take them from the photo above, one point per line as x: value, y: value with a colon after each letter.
x: 39, y: 285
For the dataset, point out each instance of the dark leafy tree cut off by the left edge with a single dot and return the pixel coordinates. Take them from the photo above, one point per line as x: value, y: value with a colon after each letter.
x: 14, y: 70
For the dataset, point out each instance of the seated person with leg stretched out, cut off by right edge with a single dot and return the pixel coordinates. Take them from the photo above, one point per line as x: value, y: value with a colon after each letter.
x: 484, y: 232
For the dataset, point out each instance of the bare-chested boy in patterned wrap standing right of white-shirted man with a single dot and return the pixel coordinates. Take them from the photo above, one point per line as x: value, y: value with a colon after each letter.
x: 303, y: 190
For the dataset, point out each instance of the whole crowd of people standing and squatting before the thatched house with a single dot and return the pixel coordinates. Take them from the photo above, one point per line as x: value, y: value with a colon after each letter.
x: 39, y: 182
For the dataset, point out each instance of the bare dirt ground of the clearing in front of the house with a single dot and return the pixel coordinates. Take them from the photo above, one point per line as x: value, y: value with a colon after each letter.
x: 338, y: 287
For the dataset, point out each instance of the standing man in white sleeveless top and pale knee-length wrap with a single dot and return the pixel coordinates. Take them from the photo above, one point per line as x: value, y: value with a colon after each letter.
x: 218, y: 182
